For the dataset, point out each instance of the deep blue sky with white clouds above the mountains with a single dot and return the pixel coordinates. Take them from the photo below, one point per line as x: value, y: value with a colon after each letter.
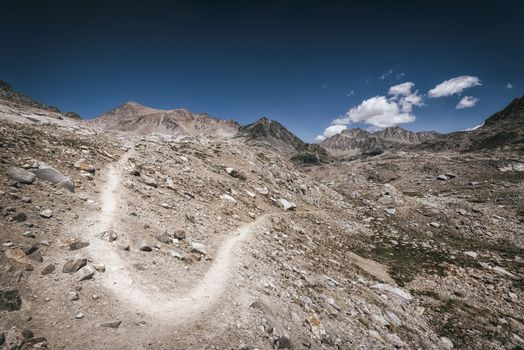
x: 317, y: 67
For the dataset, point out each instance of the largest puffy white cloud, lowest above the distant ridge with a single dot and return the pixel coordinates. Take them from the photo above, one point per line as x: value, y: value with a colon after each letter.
x: 377, y: 111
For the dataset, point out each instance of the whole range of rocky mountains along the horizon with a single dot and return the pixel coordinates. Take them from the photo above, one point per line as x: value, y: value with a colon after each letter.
x: 498, y: 130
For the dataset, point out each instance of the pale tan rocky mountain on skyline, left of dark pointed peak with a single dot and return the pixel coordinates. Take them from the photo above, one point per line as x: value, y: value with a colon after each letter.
x: 136, y: 118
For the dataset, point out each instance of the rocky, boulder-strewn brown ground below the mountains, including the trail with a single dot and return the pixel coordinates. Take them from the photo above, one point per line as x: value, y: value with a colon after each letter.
x: 114, y: 241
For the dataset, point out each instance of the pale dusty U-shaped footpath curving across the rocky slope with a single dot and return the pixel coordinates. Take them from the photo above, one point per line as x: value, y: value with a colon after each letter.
x: 119, y: 278
